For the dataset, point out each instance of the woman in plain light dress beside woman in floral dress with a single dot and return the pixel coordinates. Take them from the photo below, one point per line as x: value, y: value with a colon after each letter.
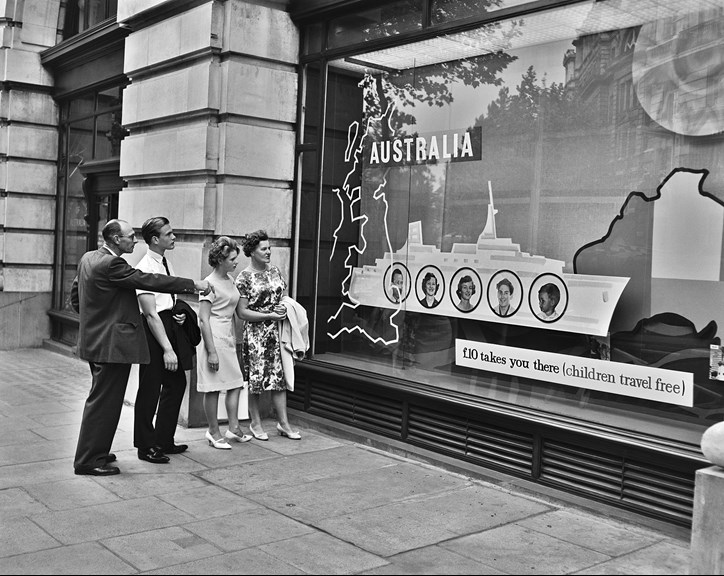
x: 217, y: 363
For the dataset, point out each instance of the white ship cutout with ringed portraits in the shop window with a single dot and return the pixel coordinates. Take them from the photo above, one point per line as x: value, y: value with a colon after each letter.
x: 587, y: 302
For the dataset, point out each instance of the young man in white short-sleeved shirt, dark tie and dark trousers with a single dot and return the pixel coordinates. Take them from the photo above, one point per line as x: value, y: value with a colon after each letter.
x: 162, y: 382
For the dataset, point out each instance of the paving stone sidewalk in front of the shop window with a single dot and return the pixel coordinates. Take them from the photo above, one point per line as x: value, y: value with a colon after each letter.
x: 322, y: 505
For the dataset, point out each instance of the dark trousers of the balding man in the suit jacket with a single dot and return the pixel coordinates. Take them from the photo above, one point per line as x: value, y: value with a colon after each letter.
x: 101, y: 414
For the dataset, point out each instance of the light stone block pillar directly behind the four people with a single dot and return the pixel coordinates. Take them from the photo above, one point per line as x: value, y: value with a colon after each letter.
x: 211, y: 111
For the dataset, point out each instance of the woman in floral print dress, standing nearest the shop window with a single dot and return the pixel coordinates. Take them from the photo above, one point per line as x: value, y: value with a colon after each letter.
x: 262, y: 286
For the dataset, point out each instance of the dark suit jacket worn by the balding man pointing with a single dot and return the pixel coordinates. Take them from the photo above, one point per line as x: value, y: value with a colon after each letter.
x: 104, y: 293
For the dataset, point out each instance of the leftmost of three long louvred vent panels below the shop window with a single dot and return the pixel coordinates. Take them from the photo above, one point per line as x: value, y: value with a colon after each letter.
x: 361, y: 409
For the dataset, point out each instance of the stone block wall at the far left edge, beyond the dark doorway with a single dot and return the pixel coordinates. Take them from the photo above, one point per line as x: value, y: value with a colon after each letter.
x: 28, y: 156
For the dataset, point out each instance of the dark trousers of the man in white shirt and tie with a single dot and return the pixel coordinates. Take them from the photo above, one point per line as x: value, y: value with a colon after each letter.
x: 160, y: 392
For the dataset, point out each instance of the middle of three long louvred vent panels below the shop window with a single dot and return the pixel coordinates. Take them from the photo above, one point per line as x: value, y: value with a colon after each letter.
x: 473, y: 441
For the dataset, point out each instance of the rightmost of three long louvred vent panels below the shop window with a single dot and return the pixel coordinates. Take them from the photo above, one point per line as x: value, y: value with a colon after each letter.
x: 657, y: 491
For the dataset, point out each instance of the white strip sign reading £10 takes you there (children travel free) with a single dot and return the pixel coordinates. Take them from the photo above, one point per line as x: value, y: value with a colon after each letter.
x: 669, y: 386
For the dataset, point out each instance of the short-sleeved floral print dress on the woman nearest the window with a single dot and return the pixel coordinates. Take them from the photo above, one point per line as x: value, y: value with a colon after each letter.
x: 261, y: 360
